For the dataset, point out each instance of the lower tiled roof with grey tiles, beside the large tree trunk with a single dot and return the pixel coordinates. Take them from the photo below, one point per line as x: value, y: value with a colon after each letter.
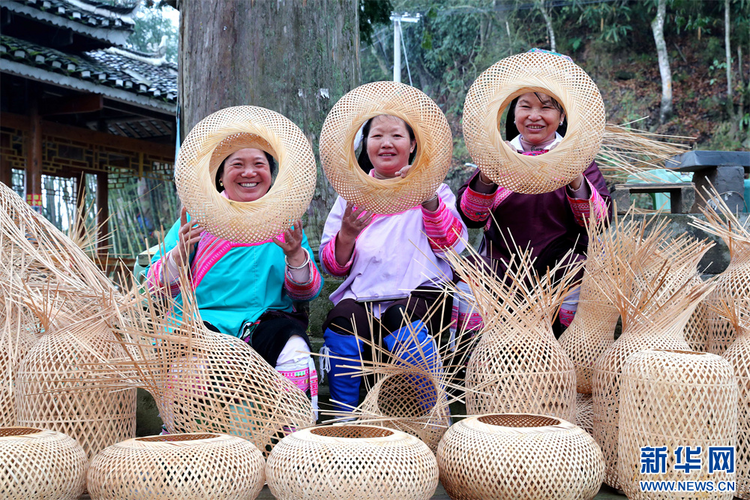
x: 113, y: 68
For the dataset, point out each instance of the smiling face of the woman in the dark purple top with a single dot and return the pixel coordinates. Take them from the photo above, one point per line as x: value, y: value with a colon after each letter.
x: 537, y: 117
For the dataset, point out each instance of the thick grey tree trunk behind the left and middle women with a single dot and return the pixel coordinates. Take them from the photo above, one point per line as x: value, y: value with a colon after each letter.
x: 296, y: 58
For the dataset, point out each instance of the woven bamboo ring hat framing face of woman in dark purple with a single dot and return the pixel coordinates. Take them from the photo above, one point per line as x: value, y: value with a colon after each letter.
x: 534, y: 71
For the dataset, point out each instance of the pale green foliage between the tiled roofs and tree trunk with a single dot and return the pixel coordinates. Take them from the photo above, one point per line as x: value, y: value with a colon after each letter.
x: 152, y: 24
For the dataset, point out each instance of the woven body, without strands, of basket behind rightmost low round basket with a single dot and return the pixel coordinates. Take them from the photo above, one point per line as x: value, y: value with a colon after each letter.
x: 542, y: 380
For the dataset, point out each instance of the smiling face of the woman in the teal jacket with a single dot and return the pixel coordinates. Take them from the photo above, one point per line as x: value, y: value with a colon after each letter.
x: 247, y: 175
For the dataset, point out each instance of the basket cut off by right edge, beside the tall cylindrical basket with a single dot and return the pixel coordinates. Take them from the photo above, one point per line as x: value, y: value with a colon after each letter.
x: 738, y: 356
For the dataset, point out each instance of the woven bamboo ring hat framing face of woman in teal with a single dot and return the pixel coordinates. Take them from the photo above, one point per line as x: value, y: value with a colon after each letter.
x: 229, y: 130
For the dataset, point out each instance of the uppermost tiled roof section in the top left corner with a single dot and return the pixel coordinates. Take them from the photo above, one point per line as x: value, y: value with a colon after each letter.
x: 106, y: 21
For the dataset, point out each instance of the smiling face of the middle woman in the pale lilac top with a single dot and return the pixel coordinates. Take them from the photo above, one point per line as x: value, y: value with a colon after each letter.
x: 389, y: 145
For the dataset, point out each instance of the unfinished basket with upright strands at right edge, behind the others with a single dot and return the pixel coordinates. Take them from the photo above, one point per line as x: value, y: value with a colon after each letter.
x: 732, y: 284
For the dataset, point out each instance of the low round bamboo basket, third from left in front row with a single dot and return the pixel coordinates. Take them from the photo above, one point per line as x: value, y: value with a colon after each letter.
x: 351, y: 461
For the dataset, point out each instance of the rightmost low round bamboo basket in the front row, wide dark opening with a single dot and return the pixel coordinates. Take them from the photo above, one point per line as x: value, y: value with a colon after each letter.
x: 519, y: 456
